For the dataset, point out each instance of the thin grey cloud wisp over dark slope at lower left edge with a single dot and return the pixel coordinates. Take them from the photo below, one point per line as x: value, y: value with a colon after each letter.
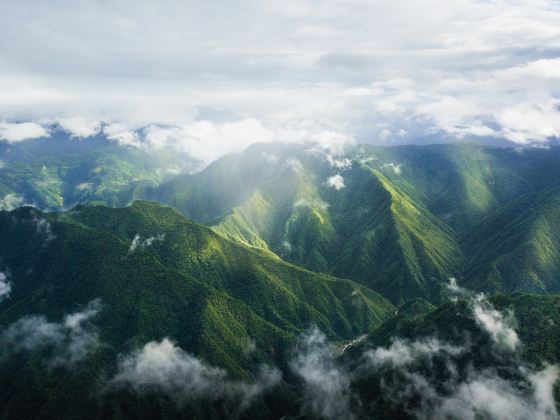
x: 66, y: 342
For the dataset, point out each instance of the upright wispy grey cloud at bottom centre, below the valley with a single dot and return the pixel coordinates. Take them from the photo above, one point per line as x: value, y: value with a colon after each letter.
x: 326, y: 384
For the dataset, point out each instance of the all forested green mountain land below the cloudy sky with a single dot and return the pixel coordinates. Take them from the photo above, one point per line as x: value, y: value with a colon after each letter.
x: 259, y: 255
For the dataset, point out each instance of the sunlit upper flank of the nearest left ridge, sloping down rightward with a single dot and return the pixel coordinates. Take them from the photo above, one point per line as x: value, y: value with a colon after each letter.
x: 277, y: 291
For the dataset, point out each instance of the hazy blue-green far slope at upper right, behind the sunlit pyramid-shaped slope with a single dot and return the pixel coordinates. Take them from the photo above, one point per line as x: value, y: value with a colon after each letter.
x: 462, y: 183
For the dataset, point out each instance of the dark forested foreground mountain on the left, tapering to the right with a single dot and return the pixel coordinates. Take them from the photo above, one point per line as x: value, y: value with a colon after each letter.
x: 93, y: 284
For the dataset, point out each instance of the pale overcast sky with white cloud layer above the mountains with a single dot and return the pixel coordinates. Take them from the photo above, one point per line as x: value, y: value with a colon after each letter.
x: 223, y: 74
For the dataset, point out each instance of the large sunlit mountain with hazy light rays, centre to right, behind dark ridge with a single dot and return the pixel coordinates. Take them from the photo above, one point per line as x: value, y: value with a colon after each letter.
x: 396, y: 219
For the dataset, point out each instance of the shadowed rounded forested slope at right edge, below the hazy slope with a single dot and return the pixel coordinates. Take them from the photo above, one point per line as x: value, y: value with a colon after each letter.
x: 518, y: 248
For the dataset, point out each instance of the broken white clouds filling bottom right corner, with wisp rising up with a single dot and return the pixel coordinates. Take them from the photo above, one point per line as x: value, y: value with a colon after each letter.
x: 429, y: 378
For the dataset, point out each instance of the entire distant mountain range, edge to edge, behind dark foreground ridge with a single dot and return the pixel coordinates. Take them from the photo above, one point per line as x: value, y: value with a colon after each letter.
x: 400, y: 220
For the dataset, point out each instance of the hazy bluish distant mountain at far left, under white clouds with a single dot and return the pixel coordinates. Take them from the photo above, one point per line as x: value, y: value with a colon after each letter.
x: 59, y: 172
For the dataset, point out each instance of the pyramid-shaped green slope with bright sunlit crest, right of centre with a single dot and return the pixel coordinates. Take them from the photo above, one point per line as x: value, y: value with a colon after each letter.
x: 393, y: 244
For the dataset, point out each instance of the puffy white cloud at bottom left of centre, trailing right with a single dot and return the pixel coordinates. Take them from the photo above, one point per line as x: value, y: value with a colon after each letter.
x: 163, y: 367
